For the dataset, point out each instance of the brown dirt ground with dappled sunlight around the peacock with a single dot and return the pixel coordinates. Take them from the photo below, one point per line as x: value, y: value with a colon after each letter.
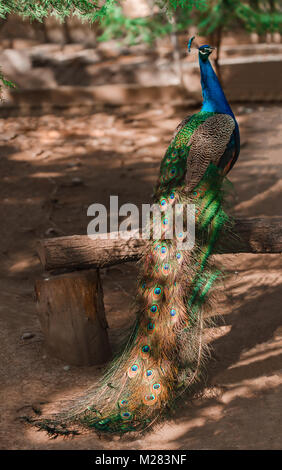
x: 52, y: 168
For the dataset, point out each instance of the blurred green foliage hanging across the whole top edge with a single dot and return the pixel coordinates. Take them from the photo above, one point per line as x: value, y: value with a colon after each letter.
x: 209, y: 15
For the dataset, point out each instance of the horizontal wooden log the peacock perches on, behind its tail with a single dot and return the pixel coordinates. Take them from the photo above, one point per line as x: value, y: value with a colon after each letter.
x: 253, y: 235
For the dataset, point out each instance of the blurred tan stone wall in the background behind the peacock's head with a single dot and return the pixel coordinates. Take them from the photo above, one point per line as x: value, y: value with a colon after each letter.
x: 138, y: 52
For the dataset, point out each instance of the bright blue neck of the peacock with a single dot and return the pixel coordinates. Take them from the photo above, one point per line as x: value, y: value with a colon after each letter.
x: 214, y: 99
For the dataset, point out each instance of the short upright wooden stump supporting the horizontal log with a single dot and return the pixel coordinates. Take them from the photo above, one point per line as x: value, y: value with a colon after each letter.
x: 72, y: 316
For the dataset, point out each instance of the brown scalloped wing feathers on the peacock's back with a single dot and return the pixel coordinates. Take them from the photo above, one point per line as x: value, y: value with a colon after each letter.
x: 207, y: 144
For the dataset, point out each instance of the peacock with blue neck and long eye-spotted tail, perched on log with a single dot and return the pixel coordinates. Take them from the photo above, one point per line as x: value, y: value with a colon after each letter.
x: 165, y: 351
